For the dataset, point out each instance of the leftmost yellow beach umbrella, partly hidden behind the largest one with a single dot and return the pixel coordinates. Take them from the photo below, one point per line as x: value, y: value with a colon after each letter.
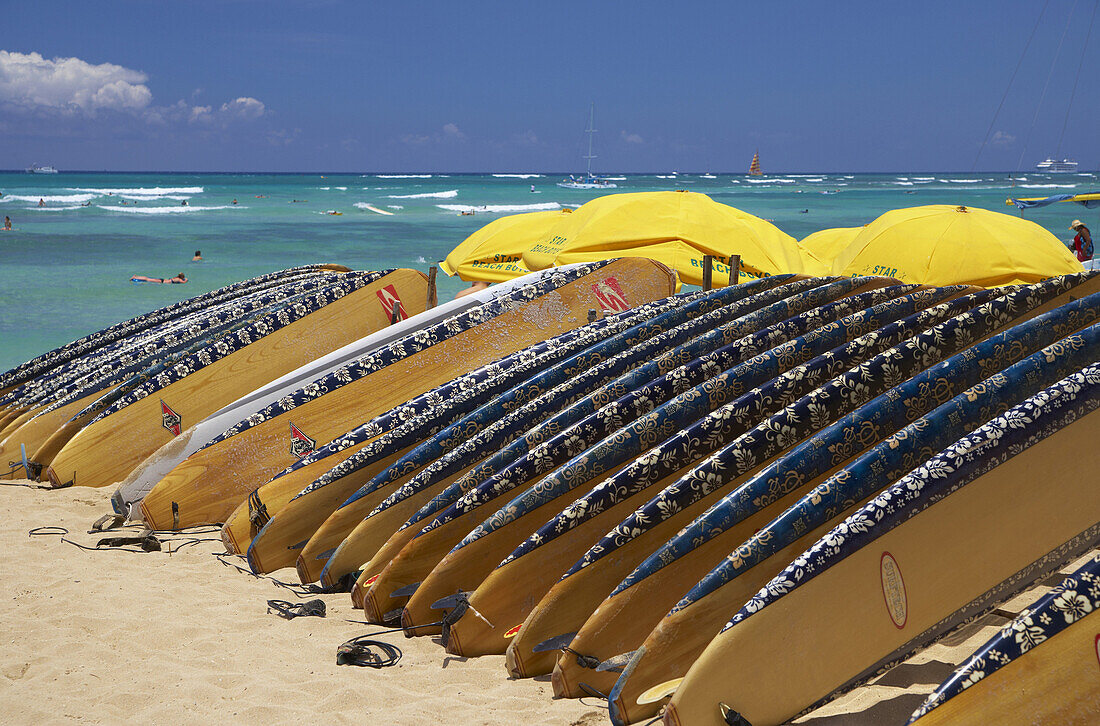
x: 492, y: 255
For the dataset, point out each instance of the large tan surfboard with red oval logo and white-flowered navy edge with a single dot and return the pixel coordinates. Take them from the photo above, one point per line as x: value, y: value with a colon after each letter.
x: 976, y: 505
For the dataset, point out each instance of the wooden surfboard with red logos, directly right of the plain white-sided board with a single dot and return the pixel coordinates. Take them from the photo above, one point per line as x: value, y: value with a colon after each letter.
x: 211, y: 483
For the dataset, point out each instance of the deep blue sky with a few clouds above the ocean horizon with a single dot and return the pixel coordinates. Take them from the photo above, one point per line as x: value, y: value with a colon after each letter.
x: 270, y: 86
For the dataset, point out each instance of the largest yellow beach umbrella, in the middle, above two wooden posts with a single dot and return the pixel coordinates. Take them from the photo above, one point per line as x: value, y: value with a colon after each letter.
x: 675, y: 228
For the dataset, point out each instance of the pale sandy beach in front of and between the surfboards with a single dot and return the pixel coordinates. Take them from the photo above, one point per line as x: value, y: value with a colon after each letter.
x: 179, y: 636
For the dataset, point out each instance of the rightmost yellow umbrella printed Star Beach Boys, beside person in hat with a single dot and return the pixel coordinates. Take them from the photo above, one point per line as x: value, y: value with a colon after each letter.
x: 940, y: 245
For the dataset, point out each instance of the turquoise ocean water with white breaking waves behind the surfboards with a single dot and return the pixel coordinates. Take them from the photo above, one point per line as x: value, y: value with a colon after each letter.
x: 65, y: 268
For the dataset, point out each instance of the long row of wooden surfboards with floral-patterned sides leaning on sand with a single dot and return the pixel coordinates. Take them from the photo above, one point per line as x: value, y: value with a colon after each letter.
x: 735, y: 504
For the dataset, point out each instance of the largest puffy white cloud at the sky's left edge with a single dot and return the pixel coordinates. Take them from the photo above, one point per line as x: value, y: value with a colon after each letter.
x: 70, y: 85
